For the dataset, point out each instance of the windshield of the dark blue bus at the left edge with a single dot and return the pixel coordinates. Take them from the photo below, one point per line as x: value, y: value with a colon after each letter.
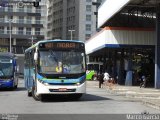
x: 6, y: 67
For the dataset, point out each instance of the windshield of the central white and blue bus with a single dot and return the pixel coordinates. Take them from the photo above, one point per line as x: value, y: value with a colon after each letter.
x: 61, y: 62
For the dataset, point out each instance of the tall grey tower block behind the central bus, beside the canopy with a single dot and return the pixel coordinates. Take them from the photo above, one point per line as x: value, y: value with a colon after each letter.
x: 71, y: 19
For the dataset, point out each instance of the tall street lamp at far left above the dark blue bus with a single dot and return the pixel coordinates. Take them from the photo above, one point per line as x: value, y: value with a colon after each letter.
x: 10, y: 33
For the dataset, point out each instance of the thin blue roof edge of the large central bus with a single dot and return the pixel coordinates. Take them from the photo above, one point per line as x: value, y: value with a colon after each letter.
x: 45, y: 41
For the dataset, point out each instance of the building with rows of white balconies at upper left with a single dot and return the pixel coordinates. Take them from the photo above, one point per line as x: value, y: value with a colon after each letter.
x: 22, y: 23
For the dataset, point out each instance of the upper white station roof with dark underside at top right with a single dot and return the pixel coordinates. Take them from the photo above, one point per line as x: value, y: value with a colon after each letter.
x: 139, y: 8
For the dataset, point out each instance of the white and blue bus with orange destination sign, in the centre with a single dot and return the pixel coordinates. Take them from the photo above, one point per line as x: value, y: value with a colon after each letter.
x: 55, y: 67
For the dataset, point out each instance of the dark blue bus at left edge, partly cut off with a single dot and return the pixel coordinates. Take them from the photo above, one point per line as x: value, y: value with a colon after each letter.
x: 8, y: 71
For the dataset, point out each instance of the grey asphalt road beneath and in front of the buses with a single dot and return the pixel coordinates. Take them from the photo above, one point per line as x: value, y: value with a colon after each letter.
x: 96, y: 101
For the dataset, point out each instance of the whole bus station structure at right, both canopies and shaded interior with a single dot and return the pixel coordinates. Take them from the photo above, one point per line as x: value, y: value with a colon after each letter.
x: 129, y: 43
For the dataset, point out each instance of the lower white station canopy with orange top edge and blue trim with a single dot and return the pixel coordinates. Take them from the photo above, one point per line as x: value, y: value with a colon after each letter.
x: 117, y: 37
